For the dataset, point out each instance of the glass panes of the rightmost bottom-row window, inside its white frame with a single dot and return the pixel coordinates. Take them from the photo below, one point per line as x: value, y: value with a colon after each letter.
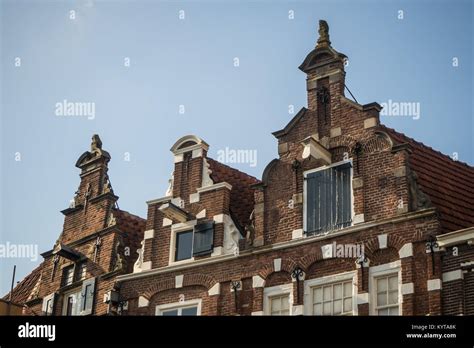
x: 387, y: 295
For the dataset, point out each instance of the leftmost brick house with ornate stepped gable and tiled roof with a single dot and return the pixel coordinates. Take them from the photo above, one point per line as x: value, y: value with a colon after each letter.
x: 98, y: 242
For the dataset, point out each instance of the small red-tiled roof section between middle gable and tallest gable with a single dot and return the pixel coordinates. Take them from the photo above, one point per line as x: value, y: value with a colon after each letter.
x: 242, y: 195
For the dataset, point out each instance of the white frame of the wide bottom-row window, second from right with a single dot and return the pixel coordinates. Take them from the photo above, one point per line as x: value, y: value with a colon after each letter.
x: 326, y: 280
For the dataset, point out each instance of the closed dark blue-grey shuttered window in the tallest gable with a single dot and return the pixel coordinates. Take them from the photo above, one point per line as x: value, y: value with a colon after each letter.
x: 328, y: 199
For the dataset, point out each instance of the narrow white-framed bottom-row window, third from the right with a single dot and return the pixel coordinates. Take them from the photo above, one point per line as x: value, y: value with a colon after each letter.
x: 278, y: 300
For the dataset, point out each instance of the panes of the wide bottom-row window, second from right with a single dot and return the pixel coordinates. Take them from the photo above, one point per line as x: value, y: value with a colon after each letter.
x: 333, y: 299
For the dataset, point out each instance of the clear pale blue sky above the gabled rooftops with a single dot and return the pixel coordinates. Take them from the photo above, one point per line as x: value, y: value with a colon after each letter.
x: 190, y: 62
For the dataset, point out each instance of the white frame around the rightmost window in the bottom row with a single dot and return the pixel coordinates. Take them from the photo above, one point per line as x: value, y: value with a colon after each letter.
x: 380, y: 271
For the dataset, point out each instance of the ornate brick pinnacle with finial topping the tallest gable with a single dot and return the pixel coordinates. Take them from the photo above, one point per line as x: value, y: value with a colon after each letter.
x: 324, y: 67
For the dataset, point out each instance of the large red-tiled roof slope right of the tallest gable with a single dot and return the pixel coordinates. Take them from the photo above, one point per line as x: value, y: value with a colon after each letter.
x: 448, y: 183
